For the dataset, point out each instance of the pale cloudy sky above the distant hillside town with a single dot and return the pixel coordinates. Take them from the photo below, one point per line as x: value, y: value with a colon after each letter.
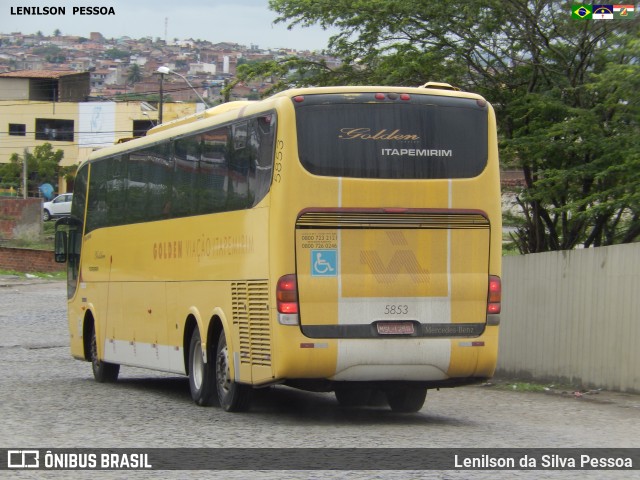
x: 247, y: 22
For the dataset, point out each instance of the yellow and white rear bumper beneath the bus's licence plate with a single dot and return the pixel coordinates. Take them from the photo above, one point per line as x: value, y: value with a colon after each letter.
x: 399, y: 359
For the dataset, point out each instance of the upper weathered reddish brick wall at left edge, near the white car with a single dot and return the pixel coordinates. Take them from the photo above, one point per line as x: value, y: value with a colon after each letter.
x: 20, y: 218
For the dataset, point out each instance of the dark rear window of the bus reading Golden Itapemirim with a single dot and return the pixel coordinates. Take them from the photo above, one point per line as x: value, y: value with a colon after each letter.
x: 426, y: 137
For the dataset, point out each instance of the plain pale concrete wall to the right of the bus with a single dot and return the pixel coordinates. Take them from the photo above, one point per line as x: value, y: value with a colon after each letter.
x: 573, y: 316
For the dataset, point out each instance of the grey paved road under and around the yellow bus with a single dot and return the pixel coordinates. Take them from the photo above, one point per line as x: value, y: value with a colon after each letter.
x: 49, y: 400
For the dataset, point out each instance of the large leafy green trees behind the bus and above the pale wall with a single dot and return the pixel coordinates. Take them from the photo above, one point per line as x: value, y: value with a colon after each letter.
x: 565, y: 91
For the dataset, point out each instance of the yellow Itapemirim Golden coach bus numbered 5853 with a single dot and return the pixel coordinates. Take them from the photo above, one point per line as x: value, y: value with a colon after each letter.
x: 342, y: 239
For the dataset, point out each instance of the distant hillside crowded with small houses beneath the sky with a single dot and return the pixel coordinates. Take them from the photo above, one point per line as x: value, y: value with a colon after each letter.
x: 109, y: 62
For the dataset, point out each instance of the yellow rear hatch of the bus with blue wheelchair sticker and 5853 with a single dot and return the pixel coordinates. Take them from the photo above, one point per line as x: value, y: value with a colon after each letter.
x: 376, y: 274
